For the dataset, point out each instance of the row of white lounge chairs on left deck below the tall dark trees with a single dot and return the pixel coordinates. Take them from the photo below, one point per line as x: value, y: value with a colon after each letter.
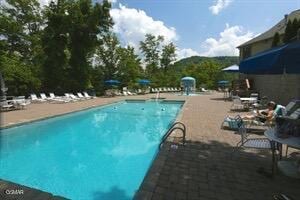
x: 52, y: 98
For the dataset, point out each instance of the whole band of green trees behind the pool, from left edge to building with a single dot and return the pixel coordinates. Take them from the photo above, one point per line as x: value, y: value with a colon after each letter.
x: 69, y: 46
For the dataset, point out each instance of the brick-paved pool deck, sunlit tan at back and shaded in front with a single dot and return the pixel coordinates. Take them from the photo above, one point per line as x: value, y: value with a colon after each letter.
x: 204, y: 168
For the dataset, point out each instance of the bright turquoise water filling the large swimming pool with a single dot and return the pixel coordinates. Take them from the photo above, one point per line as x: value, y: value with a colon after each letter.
x: 102, y: 153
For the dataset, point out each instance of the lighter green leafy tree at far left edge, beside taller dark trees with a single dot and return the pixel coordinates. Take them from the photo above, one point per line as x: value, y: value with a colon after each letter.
x: 20, y: 29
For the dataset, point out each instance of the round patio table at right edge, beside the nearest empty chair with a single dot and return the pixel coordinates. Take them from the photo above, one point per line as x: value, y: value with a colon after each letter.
x: 287, y: 167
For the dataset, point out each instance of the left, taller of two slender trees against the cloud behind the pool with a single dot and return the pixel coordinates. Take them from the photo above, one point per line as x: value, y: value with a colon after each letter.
x: 150, y: 47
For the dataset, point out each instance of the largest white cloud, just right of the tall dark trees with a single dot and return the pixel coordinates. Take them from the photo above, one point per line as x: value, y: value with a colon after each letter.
x: 131, y: 25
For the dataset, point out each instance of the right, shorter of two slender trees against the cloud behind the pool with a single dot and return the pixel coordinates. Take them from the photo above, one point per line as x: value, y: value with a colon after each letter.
x: 168, y: 56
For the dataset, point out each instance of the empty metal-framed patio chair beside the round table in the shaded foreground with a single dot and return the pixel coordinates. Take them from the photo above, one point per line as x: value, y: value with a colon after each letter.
x: 253, y: 143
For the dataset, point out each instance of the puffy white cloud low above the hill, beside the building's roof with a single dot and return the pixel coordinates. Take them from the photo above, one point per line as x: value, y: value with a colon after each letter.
x: 226, y: 44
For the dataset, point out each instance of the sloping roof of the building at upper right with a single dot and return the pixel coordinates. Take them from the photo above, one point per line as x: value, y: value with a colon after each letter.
x: 279, y: 27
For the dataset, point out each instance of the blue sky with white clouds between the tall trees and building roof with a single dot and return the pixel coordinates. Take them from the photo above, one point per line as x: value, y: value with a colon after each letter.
x: 197, y: 27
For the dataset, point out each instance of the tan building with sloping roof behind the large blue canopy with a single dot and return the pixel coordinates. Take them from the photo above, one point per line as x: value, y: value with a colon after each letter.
x: 280, y: 88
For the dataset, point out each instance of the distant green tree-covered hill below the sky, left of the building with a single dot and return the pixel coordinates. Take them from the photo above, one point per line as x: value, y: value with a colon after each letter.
x: 223, y: 61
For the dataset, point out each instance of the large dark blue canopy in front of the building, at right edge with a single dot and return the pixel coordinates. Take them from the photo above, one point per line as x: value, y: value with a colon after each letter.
x: 279, y: 60
